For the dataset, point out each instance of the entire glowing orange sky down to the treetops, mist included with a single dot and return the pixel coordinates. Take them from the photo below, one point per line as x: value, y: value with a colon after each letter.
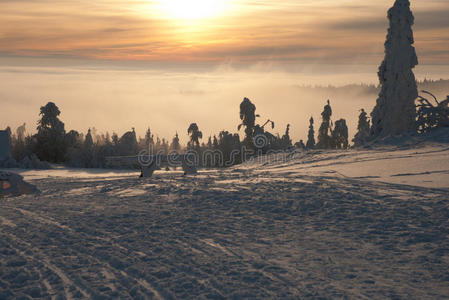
x: 116, y: 64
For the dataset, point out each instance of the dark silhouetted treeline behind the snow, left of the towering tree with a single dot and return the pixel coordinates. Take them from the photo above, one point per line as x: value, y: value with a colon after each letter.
x: 52, y: 143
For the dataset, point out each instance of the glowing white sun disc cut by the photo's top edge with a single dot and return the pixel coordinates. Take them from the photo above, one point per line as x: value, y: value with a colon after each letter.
x: 193, y: 9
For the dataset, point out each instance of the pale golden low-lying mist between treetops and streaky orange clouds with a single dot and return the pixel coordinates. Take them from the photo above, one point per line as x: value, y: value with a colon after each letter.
x: 116, y: 100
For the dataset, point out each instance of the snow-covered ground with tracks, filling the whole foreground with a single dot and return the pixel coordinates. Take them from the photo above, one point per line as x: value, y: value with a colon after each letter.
x: 367, y: 224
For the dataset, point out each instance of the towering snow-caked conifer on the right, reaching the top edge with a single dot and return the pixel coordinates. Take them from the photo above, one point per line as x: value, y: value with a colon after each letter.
x: 395, y: 111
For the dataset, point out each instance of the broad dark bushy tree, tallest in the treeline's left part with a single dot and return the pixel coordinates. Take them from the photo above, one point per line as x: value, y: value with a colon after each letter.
x: 50, y: 134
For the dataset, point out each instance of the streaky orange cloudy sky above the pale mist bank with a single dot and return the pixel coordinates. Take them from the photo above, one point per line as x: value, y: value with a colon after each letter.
x: 243, y: 31
